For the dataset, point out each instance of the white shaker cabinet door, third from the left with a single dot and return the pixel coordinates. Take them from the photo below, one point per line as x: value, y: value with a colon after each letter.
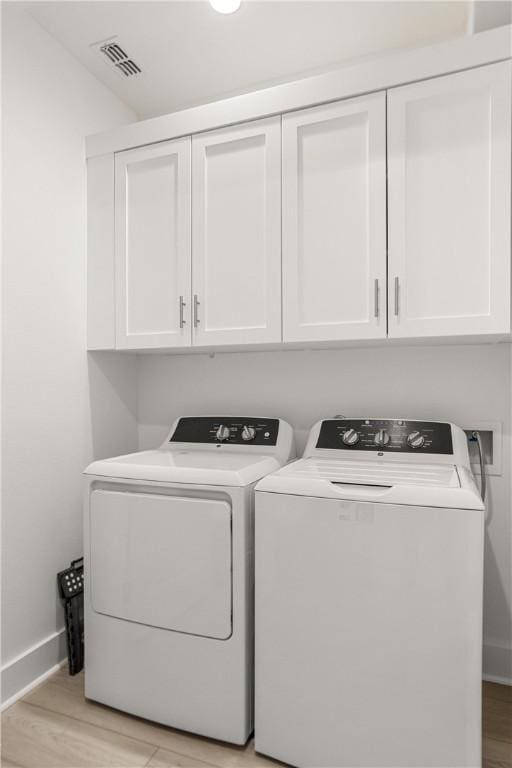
x: 334, y: 221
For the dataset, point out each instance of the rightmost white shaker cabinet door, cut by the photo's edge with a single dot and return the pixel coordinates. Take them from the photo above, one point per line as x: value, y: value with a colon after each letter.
x: 449, y: 204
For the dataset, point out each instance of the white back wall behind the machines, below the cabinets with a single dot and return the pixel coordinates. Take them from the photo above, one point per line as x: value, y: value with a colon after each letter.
x: 464, y: 384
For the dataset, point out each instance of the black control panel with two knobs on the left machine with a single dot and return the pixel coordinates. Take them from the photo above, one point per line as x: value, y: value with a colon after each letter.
x: 246, y: 430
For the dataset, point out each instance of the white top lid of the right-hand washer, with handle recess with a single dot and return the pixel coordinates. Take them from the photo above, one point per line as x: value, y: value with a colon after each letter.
x: 420, y: 484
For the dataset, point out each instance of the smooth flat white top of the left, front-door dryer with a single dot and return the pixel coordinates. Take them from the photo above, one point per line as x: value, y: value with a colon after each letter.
x: 227, y: 468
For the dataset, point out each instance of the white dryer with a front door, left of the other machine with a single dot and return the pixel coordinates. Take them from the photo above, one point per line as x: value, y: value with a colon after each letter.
x: 169, y: 574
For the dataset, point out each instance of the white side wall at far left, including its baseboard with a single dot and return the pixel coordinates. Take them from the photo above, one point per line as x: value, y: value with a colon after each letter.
x: 51, y: 426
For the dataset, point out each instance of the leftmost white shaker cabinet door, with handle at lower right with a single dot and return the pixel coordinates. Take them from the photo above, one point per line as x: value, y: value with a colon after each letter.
x: 153, y: 246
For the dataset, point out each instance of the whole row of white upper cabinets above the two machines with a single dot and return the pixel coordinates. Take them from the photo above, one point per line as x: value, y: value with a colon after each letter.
x: 392, y: 211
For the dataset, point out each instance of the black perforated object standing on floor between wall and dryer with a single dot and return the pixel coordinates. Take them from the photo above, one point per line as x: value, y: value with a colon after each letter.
x: 71, y: 590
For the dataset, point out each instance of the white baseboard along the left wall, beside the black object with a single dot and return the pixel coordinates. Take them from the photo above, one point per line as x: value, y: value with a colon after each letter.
x: 30, y: 668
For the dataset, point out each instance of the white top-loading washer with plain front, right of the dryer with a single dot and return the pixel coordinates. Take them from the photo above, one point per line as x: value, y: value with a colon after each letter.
x: 369, y: 563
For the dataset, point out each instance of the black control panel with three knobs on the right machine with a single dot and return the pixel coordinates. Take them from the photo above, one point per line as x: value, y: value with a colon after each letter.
x: 386, y: 435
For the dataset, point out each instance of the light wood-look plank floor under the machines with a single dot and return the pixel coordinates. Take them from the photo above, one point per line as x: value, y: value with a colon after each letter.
x: 54, y: 726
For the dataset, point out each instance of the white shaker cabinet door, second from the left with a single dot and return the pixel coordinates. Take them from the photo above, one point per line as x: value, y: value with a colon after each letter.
x: 236, y: 237
